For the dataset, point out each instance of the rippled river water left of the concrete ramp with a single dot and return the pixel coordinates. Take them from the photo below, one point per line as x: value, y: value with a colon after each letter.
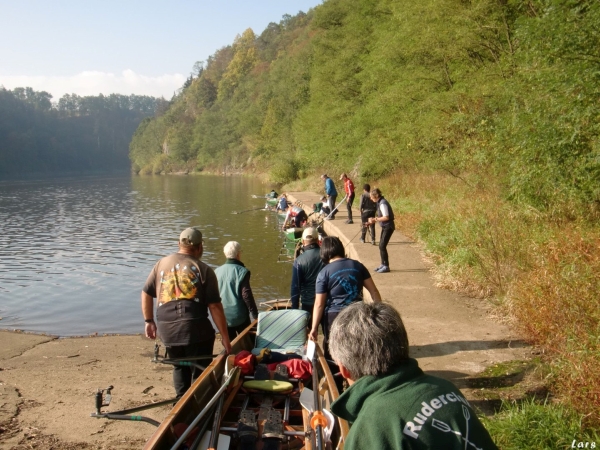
x: 75, y: 253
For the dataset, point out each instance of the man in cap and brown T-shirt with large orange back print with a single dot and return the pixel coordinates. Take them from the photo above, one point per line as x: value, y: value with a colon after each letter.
x: 185, y: 289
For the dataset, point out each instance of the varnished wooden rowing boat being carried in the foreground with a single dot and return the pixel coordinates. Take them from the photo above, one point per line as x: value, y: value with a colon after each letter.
x: 218, y: 401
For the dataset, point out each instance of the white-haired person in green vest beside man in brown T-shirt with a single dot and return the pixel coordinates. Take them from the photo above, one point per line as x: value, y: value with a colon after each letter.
x: 236, y: 293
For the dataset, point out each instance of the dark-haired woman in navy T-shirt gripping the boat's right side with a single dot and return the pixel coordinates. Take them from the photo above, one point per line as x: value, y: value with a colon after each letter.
x: 339, y: 284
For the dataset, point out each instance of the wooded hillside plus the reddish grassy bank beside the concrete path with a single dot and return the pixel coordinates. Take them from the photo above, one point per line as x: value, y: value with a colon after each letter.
x: 479, y: 119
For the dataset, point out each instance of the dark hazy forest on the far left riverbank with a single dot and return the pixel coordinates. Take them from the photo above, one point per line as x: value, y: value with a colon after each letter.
x: 76, y: 135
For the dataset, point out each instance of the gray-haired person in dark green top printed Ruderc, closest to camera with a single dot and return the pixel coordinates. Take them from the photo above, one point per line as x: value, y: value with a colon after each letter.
x: 391, y: 403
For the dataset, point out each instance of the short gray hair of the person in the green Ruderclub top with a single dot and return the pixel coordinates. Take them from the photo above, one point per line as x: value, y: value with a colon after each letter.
x: 368, y: 339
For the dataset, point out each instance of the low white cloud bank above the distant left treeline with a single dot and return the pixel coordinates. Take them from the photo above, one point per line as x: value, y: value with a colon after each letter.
x: 95, y: 83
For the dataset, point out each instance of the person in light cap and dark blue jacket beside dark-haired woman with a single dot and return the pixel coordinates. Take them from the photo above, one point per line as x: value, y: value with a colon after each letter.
x: 304, y: 272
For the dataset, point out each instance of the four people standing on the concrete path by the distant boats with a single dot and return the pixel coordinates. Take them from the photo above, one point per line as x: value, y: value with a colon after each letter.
x: 374, y: 208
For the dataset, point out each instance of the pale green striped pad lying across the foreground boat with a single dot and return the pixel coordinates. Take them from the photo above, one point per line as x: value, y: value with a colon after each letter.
x: 284, y: 330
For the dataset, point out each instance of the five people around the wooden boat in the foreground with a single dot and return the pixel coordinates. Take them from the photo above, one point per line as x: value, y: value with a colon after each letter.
x: 390, y: 402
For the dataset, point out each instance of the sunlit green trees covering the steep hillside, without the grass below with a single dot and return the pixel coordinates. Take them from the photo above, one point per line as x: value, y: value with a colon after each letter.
x: 480, y: 88
